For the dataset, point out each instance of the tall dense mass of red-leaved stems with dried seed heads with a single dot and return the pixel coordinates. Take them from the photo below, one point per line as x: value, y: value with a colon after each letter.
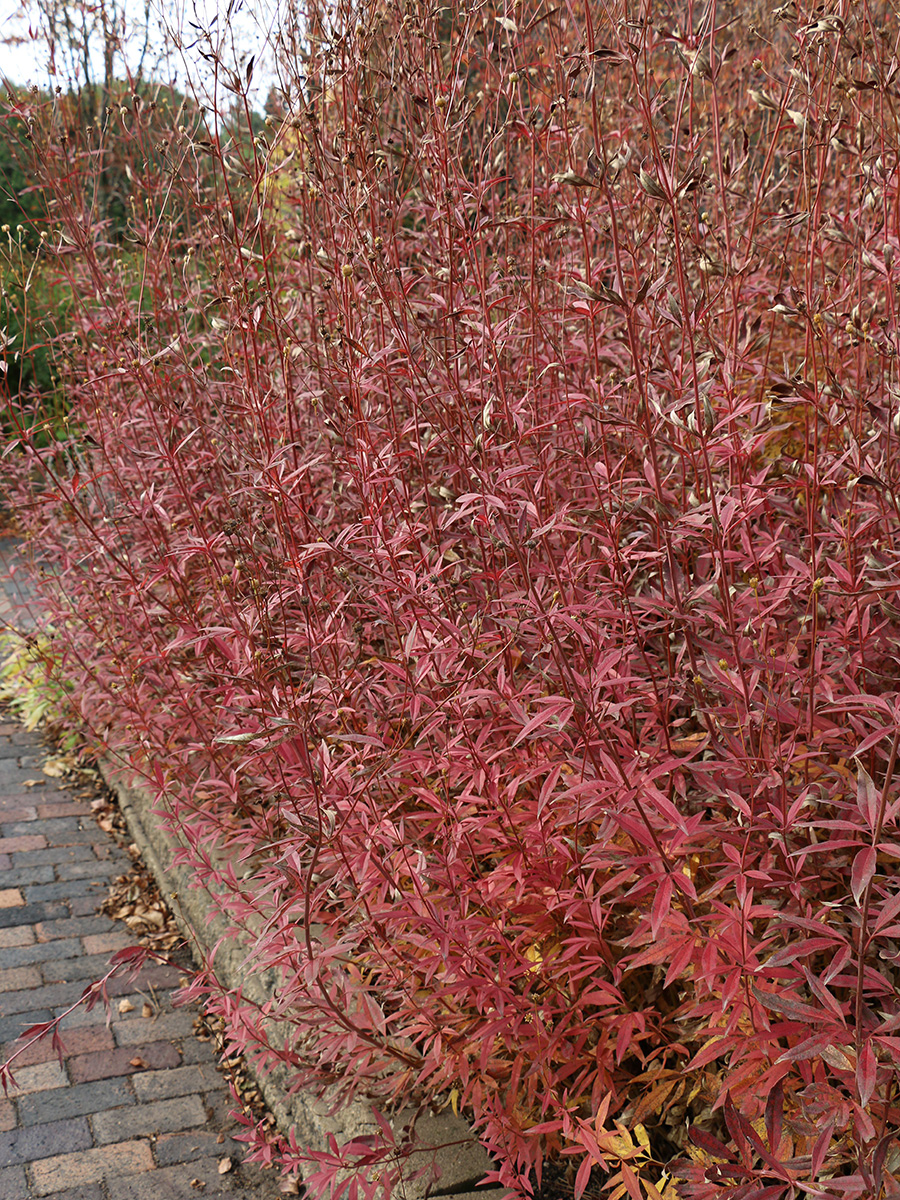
x: 479, y: 513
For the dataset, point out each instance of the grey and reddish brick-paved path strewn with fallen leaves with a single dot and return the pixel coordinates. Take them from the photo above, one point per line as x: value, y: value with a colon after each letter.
x: 137, y: 1108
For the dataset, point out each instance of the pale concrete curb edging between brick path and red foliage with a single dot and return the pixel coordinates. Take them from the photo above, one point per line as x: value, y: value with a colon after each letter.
x: 459, y: 1160
